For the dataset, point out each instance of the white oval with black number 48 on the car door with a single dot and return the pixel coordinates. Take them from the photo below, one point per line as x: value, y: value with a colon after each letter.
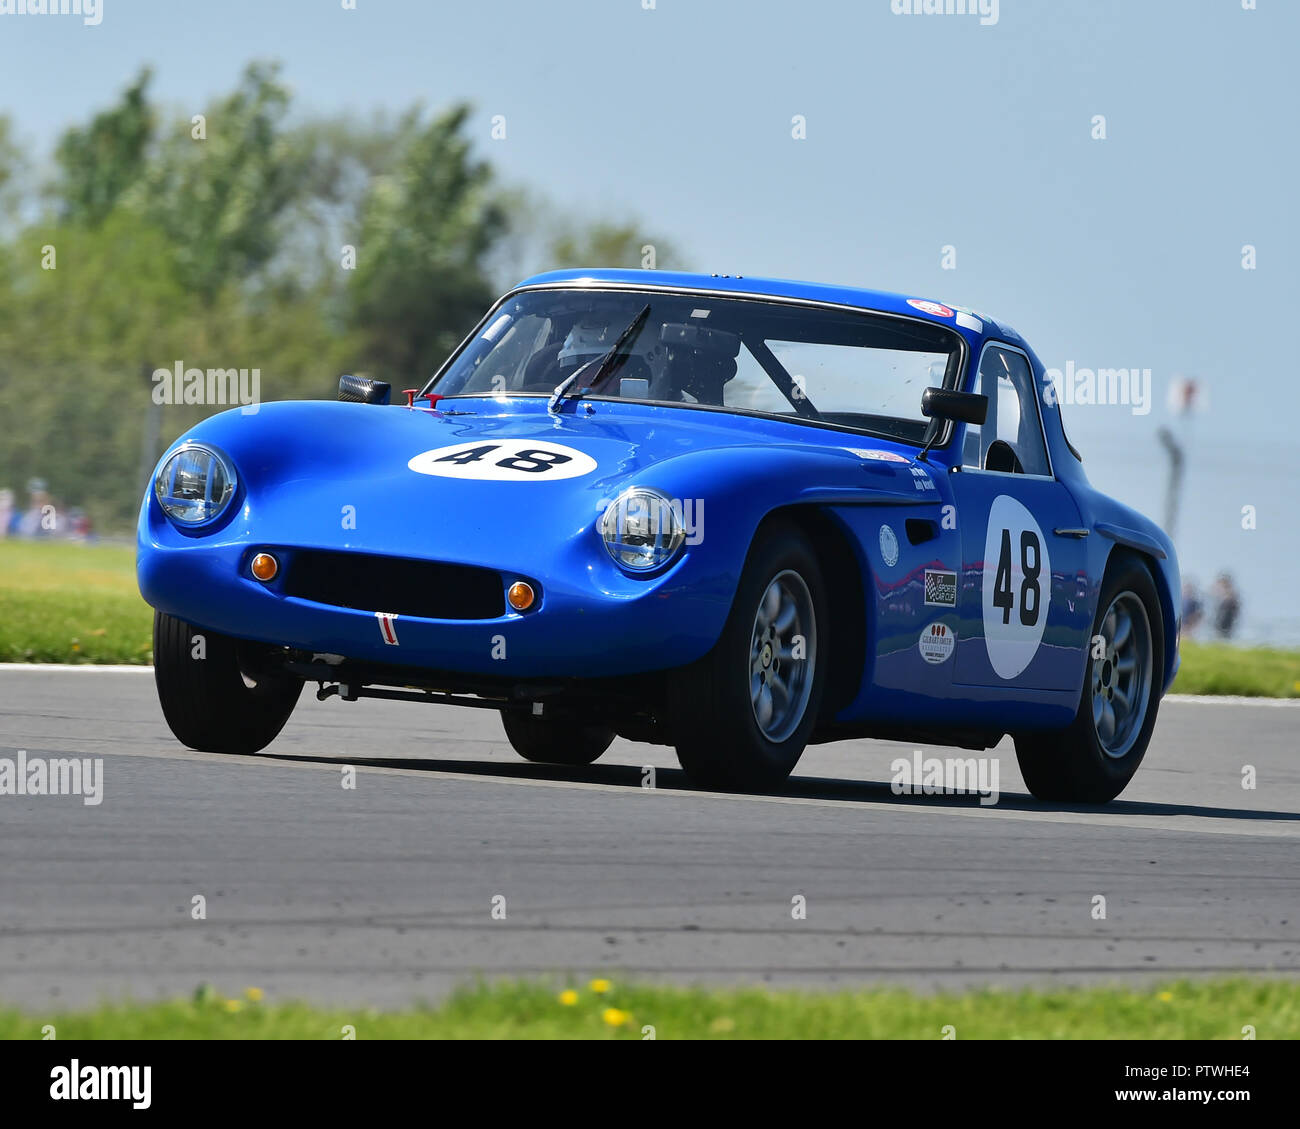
x: 1017, y: 587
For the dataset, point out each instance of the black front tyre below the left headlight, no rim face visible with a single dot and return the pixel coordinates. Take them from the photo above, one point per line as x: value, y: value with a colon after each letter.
x: 216, y: 695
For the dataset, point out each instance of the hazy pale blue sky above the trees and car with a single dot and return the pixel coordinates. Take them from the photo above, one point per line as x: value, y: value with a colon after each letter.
x: 922, y: 133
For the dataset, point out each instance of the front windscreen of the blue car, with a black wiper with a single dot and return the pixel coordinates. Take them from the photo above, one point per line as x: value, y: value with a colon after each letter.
x: 843, y: 369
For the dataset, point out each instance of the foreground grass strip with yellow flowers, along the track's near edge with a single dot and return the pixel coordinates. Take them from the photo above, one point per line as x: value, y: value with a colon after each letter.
x: 1201, y: 1010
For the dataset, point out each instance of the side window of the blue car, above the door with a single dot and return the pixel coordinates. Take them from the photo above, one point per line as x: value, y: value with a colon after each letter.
x: 1012, y: 436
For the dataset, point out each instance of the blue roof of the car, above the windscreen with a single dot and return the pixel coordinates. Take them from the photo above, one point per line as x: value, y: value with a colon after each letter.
x: 972, y: 323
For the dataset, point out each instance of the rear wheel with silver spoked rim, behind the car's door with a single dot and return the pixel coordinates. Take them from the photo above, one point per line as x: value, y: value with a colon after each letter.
x: 1095, y: 759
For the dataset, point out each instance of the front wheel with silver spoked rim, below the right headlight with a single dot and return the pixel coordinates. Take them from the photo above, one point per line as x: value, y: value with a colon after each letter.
x: 743, y: 715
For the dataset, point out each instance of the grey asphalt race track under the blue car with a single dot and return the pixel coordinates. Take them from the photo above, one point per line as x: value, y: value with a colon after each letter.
x: 384, y: 894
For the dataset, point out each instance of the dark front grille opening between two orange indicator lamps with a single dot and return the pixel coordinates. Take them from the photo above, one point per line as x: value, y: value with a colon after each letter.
x: 428, y: 590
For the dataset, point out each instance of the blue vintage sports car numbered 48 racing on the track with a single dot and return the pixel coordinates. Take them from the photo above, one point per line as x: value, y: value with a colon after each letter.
x: 733, y: 516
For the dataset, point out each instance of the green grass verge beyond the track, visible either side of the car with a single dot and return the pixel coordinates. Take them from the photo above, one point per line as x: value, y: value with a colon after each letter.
x: 68, y: 603
